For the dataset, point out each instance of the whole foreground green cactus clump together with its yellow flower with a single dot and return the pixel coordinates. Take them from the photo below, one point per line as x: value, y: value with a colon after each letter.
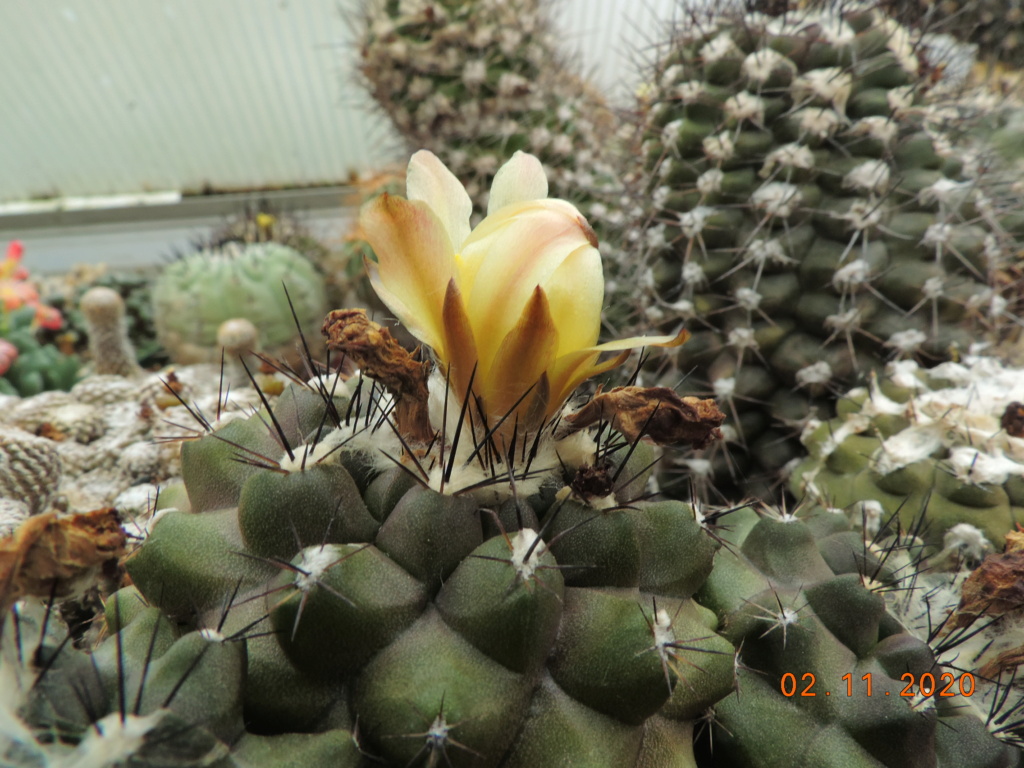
x: 414, y: 567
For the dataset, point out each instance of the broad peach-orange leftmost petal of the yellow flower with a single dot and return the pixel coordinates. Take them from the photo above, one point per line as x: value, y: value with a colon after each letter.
x: 415, y: 264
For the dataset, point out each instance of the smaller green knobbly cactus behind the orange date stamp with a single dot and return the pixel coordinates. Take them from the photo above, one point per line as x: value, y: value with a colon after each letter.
x: 817, y: 613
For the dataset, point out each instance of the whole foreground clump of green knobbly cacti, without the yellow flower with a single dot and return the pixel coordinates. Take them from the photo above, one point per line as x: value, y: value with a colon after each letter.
x: 318, y: 603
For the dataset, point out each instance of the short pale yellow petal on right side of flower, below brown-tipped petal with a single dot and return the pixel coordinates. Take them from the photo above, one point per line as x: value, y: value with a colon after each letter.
x: 576, y: 293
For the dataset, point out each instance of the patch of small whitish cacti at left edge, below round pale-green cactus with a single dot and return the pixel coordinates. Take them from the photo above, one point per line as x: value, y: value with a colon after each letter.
x: 113, y: 439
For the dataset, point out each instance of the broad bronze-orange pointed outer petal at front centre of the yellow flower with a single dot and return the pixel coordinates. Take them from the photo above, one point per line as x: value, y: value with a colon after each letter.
x: 524, y: 357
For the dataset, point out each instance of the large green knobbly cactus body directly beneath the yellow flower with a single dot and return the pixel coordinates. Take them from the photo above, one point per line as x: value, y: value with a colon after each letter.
x: 443, y: 633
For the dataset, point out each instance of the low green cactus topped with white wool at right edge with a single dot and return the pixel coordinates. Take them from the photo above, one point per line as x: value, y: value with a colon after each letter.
x: 945, y: 444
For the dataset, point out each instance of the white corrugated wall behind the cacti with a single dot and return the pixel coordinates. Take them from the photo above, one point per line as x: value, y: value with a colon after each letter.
x: 114, y: 97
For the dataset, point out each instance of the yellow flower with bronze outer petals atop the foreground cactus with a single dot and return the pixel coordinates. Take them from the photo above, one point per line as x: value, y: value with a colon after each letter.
x: 515, y: 305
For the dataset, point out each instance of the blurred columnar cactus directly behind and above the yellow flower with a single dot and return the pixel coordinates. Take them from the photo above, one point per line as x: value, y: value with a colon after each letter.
x: 476, y: 81
